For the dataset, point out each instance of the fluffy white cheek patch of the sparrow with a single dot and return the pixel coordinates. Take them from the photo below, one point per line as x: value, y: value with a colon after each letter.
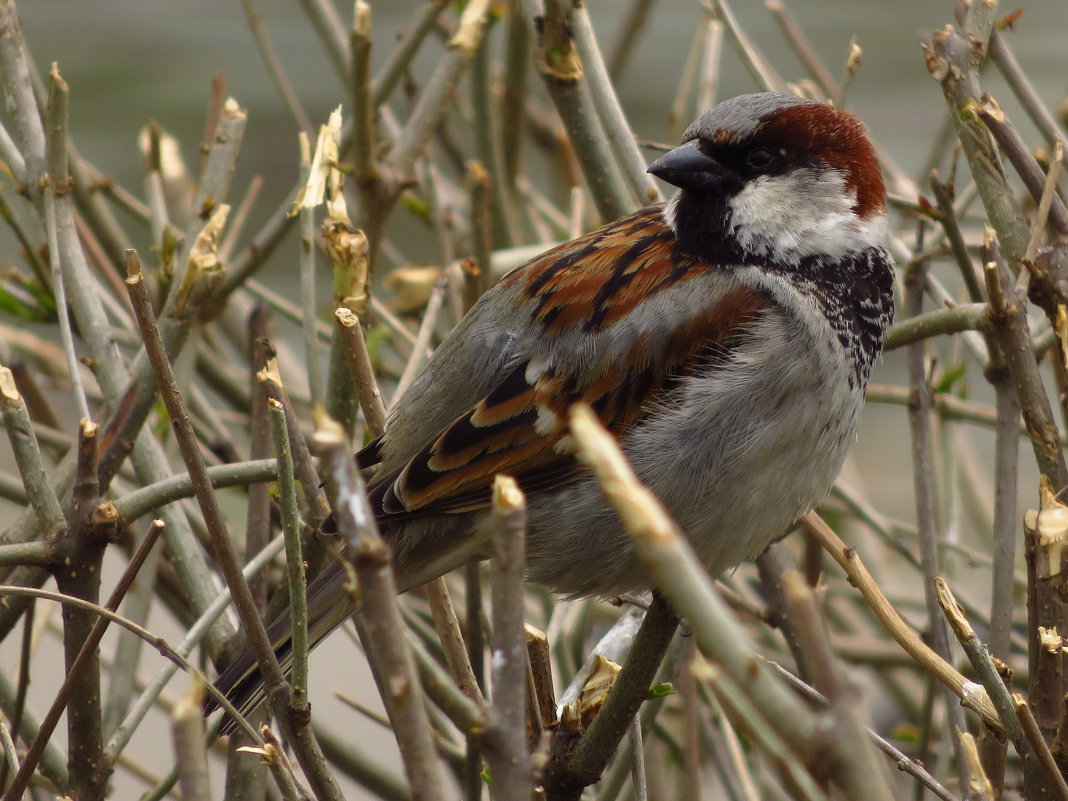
x: 806, y: 212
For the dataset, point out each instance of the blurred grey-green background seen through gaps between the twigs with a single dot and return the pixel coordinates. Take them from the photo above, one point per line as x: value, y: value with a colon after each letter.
x: 131, y: 62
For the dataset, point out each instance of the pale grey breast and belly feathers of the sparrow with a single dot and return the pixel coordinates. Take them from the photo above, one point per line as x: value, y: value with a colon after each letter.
x: 717, y: 457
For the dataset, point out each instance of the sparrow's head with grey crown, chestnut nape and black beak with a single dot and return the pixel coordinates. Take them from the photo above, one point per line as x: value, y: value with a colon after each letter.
x: 771, y: 177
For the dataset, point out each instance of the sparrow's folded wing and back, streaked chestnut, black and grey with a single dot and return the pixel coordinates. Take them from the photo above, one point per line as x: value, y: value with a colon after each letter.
x: 585, y: 333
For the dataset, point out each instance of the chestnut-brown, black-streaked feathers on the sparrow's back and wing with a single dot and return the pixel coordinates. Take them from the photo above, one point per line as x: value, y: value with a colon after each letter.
x: 520, y: 428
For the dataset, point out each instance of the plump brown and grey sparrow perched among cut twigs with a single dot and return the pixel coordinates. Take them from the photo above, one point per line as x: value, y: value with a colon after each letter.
x: 725, y: 338
